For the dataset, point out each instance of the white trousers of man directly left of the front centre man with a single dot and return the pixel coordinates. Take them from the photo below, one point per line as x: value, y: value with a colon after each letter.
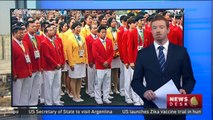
x: 91, y: 79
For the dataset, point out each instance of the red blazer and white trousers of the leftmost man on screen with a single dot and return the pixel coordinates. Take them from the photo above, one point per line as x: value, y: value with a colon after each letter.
x: 22, y: 68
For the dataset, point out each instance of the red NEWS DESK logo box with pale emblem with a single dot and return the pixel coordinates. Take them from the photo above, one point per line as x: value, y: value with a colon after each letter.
x: 184, y: 101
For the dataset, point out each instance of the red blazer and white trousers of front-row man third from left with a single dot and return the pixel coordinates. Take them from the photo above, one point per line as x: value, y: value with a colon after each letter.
x: 50, y: 58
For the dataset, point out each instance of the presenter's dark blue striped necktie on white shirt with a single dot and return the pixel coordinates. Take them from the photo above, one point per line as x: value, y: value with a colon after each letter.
x: 161, y: 58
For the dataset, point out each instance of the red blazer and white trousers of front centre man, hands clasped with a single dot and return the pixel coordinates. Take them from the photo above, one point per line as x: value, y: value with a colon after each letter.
x: 103, y: 52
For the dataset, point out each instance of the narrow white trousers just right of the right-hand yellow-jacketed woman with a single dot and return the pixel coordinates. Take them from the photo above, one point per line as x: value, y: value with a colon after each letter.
x: 122, y: 78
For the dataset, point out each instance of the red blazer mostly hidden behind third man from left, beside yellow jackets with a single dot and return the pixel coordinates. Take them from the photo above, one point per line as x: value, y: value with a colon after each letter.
x: 60, y: 50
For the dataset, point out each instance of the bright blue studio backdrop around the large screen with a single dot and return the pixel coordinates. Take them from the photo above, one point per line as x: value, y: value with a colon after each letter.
x: 197, y: 40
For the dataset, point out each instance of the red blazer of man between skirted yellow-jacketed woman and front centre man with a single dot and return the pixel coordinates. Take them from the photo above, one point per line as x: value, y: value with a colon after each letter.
x: 89, y: 42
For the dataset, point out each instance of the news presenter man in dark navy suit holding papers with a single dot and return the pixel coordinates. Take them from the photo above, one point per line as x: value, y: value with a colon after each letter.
x: 160, y: 63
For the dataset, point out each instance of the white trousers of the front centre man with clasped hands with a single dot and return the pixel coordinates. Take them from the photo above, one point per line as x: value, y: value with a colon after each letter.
x: 102, y: 83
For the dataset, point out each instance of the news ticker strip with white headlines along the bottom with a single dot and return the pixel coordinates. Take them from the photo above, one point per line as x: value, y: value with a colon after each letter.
x: 102, y: 111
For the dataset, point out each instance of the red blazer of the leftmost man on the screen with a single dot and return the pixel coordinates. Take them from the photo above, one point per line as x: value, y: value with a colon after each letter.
x: 20, y: 67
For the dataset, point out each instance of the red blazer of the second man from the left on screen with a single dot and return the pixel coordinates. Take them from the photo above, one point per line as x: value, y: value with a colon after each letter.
x: 36, y: 63
